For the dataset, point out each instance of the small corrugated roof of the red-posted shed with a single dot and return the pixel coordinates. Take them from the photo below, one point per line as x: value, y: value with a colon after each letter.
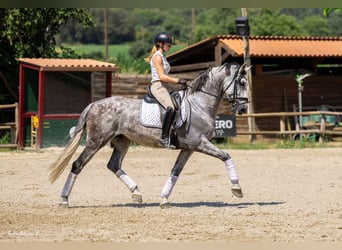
x: 57, y: 64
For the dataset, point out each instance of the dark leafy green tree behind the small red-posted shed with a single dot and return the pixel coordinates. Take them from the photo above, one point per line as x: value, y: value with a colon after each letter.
x: 28, y: 32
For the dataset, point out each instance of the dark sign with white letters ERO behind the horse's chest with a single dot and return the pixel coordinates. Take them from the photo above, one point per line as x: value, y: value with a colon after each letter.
x: 225, y: 125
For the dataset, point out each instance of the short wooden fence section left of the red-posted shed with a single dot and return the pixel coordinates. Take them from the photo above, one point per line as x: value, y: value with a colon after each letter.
x: 12, y: 126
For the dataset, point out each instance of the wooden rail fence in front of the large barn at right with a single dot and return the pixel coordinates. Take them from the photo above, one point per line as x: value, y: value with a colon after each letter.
x: 321, y: 128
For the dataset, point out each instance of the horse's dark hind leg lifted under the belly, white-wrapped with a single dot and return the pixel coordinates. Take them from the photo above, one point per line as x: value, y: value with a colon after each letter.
x: 121, y: 145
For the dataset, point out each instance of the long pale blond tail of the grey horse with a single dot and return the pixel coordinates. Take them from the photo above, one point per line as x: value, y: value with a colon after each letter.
x: 57, y: 168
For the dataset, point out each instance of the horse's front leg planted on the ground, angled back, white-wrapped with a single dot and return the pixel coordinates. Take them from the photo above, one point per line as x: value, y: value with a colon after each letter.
x: 182, y: 158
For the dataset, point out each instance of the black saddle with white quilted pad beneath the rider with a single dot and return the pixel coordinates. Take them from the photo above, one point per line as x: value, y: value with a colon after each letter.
x: 152, y: 112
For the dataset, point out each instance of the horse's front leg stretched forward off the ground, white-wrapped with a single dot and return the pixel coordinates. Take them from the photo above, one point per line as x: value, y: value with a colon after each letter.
x: 208, y: 148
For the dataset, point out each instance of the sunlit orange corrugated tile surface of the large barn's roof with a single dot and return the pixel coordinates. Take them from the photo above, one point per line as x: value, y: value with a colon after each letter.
x: 280, y: 46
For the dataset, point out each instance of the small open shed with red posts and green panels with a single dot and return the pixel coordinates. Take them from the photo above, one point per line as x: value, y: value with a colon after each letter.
x: 53, y: 93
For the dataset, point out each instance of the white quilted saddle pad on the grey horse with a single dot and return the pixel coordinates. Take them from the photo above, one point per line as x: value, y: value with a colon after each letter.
x: 150, y: 114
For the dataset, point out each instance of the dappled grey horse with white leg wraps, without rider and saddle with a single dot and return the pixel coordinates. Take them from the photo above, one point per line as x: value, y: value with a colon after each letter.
x: 117, y: 120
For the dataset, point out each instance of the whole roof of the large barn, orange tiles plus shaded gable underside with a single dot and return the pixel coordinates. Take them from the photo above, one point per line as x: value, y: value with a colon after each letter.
x: 262, y: 49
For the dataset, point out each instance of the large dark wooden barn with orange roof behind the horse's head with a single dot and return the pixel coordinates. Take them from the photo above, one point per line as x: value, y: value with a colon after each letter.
x: 276, y: 62
